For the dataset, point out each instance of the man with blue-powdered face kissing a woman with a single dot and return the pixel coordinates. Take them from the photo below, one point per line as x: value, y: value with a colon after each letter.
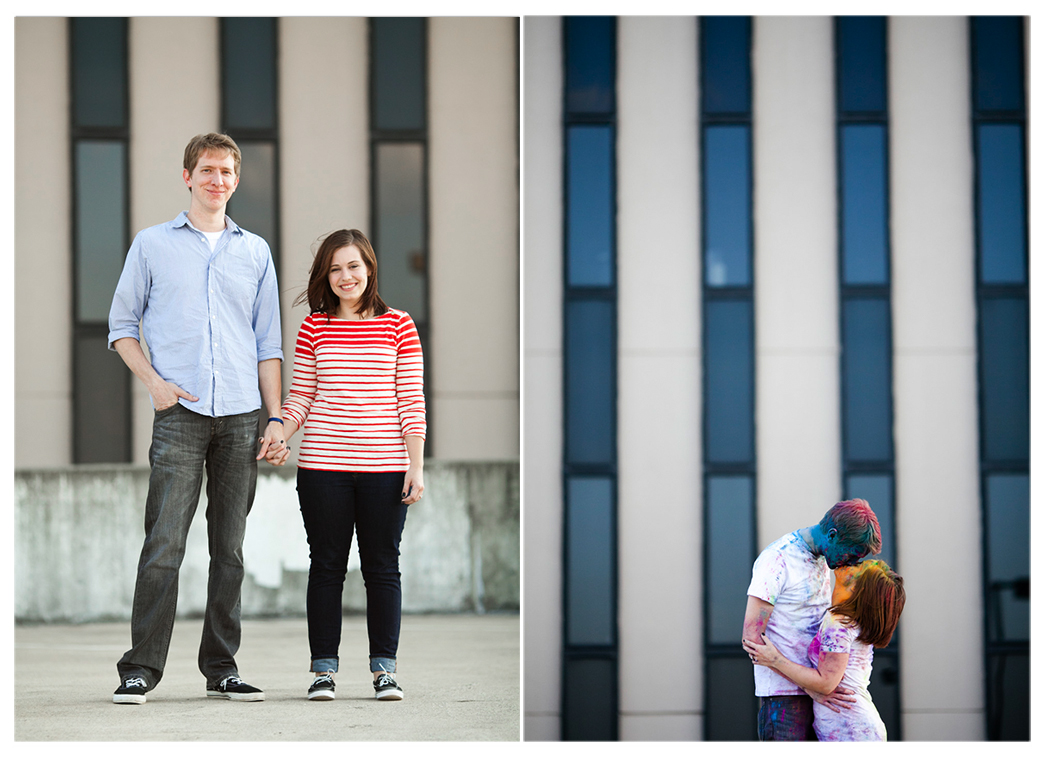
x: 791, y: 591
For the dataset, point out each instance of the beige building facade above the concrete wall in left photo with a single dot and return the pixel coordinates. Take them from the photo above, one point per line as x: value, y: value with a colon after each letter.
x: 407, y: 129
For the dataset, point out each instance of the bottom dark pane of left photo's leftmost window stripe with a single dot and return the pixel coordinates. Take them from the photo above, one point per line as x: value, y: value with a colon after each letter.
x: 102, y: 410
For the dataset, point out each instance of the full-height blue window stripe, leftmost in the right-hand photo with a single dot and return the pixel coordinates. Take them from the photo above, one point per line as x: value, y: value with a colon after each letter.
x: 590, y: 662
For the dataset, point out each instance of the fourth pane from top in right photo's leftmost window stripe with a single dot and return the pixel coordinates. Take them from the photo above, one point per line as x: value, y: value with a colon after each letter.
x: 591, y: 559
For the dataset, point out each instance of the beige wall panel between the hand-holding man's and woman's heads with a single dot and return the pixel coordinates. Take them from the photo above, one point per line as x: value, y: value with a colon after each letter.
x: 324, y: 150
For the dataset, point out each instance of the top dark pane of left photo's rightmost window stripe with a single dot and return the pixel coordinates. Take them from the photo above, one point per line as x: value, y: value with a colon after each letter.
x: 398, y: 78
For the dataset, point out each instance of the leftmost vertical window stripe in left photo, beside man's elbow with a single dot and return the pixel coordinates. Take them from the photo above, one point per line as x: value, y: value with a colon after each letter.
x: 101, y: 139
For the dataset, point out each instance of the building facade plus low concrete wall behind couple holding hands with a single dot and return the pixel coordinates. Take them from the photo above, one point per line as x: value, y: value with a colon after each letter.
x: 407, y: 129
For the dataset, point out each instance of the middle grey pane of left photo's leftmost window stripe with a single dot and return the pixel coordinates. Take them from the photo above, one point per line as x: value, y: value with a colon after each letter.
x: 101, y: 225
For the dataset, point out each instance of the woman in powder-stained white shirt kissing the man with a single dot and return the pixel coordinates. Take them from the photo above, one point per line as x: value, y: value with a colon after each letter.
x: 868, y: 604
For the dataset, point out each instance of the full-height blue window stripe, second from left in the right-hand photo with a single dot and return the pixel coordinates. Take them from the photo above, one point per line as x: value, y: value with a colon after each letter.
x: 730, y: 485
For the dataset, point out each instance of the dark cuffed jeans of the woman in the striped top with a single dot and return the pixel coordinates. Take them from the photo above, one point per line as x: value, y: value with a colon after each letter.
x: 334, y: 505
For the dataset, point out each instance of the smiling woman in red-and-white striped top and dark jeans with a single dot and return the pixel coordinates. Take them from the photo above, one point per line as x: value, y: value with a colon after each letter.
x: 358, y: 395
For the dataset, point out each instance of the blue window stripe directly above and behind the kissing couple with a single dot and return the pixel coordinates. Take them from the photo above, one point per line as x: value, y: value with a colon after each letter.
x: 869, y: 460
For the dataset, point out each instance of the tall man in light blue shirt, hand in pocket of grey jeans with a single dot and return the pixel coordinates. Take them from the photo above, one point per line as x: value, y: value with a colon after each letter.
x: 204, y: 293
